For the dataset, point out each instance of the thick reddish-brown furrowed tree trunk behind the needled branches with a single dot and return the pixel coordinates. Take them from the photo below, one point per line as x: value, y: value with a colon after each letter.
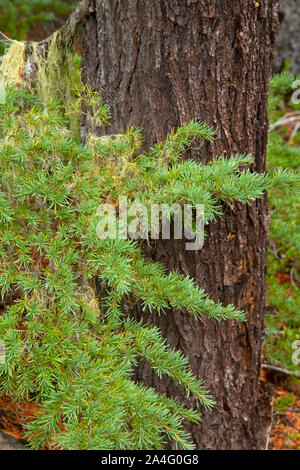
x: 161, y: 63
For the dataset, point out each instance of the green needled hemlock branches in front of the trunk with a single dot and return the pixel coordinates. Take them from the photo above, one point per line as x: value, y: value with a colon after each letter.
x: 69, y: 345
